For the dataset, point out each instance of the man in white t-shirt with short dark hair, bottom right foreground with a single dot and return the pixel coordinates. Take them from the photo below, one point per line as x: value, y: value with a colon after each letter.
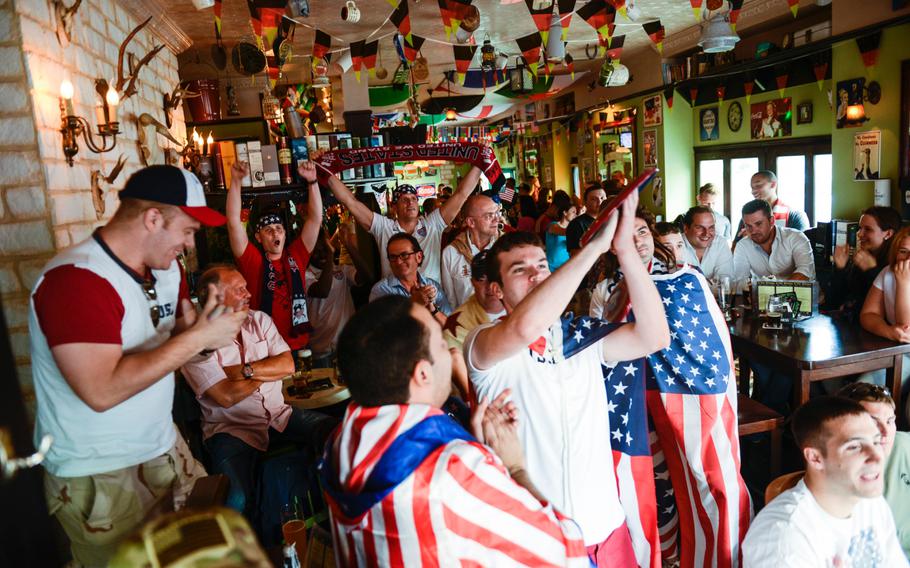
x: 836, y: 515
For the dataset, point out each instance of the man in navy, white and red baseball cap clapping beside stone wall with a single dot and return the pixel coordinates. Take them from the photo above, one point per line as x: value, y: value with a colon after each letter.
x: 109, y: 322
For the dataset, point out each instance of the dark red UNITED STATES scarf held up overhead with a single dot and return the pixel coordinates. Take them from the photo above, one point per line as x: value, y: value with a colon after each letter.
x: 480, y: 155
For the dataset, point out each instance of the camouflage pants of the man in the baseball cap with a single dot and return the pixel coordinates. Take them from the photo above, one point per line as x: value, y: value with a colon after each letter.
x: 98, y: 511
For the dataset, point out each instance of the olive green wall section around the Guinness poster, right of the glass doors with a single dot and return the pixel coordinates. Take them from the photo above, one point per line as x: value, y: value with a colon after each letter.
x: 852, y: 196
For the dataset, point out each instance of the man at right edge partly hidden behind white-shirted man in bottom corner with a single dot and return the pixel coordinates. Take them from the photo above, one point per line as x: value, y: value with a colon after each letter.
x: 896, y: 448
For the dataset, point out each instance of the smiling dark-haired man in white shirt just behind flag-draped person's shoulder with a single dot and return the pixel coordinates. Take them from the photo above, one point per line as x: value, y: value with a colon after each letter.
x: 704, y: 248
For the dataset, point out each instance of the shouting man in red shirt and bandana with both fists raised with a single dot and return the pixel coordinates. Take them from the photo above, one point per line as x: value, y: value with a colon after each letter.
x: 276, y: 277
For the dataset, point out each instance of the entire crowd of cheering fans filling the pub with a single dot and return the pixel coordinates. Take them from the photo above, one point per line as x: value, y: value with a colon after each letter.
x: 584, y: 369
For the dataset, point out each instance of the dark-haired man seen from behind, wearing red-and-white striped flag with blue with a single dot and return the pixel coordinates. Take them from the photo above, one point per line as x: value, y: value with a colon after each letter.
x: 398, y: 462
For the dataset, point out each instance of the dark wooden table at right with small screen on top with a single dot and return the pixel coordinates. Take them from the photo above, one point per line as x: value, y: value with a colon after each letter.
x: 816, y: 349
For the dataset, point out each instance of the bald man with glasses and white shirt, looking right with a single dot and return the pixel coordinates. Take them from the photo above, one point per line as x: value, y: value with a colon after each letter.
x: 482, y: 219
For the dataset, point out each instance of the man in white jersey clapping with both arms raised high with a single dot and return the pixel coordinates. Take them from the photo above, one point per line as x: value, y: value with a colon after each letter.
x: 560, y: 392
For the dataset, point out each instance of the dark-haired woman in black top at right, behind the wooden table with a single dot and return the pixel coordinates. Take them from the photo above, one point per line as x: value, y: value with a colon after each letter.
x: 853, y: 277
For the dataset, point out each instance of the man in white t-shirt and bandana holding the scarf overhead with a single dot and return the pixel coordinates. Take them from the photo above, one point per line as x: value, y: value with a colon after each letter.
x: 427, y: 229
